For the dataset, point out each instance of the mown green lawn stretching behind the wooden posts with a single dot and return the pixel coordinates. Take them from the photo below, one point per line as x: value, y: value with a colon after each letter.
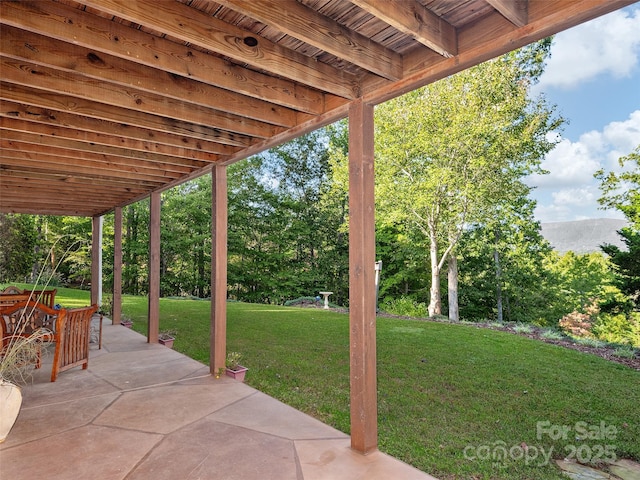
x: 451, y: 397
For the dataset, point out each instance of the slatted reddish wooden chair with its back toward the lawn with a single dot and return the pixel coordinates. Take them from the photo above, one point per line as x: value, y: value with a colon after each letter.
x: 72, y: 333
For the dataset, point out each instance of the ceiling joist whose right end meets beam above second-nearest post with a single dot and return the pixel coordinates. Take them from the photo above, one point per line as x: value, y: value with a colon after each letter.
x: 84, y: 146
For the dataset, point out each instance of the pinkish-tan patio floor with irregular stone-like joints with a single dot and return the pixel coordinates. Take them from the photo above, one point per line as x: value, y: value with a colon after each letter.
x: 146, y: 412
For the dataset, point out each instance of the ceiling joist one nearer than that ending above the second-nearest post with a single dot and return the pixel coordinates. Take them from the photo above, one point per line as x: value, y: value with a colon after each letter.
x: 104, y: 132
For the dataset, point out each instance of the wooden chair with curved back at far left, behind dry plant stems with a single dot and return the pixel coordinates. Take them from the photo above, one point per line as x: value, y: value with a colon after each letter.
x: 25, y: 317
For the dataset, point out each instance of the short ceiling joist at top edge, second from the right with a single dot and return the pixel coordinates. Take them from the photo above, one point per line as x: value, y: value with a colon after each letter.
x: 411, y: 18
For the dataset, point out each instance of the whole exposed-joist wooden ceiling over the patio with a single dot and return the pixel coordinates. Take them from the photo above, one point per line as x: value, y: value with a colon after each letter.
x: 105, y: 101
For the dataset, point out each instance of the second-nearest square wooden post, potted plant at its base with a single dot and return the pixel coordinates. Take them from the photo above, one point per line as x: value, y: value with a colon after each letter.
x: 218, y: 339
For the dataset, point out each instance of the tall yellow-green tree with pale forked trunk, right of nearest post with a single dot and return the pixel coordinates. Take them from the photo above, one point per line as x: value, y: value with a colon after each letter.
x: 449, y: 151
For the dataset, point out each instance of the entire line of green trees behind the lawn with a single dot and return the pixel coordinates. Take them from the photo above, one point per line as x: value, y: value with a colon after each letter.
x: 451, y: 196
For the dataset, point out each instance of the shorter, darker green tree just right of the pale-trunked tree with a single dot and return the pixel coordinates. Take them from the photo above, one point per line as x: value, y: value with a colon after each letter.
x: 502, y: 272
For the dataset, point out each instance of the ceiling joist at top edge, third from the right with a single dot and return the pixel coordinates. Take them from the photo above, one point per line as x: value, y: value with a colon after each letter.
x: 307, y: 25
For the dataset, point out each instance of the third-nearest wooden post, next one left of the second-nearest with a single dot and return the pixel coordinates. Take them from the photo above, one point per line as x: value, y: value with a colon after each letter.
x: 153, y: 325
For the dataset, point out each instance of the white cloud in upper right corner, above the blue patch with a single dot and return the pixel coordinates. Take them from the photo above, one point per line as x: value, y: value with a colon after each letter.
x: 606, y: 45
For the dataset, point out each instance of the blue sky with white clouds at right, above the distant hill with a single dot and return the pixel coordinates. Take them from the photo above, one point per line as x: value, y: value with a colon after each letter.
x: 593, y: 76
